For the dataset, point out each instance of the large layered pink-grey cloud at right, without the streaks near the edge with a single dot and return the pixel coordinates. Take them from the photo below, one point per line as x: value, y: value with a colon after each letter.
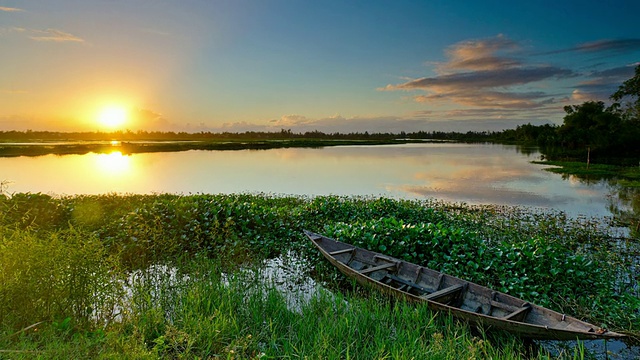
x: 486, y: 73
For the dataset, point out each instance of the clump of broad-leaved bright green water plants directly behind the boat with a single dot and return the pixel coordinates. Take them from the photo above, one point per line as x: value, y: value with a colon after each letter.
x: 537, y: 269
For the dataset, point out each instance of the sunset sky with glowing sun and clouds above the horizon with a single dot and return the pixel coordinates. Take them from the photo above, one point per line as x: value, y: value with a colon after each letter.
x: 331, y: 66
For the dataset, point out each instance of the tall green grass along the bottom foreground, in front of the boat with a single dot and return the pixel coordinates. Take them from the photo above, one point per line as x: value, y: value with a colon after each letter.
x: 241, y: 318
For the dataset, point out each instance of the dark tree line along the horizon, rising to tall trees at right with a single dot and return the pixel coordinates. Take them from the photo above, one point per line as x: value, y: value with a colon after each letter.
x: 606, y: 133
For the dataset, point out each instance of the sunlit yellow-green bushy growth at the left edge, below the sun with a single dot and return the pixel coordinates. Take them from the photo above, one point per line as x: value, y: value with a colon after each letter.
x: 48, y: 276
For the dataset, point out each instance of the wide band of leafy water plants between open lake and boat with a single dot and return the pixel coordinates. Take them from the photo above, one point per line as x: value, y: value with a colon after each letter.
x: 571, y: 265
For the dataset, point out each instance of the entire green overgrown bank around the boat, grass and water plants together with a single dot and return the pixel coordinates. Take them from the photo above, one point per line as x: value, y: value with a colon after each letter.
x: 77, y: 246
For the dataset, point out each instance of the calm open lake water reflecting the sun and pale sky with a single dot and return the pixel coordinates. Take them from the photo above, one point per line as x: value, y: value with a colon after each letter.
x: 471, y: 173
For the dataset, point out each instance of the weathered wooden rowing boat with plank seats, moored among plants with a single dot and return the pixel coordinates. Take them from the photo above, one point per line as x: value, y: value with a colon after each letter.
x: 478, y: 305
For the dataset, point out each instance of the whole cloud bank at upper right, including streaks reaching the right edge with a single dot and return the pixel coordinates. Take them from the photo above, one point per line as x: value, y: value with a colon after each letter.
x: 495, y: 77
